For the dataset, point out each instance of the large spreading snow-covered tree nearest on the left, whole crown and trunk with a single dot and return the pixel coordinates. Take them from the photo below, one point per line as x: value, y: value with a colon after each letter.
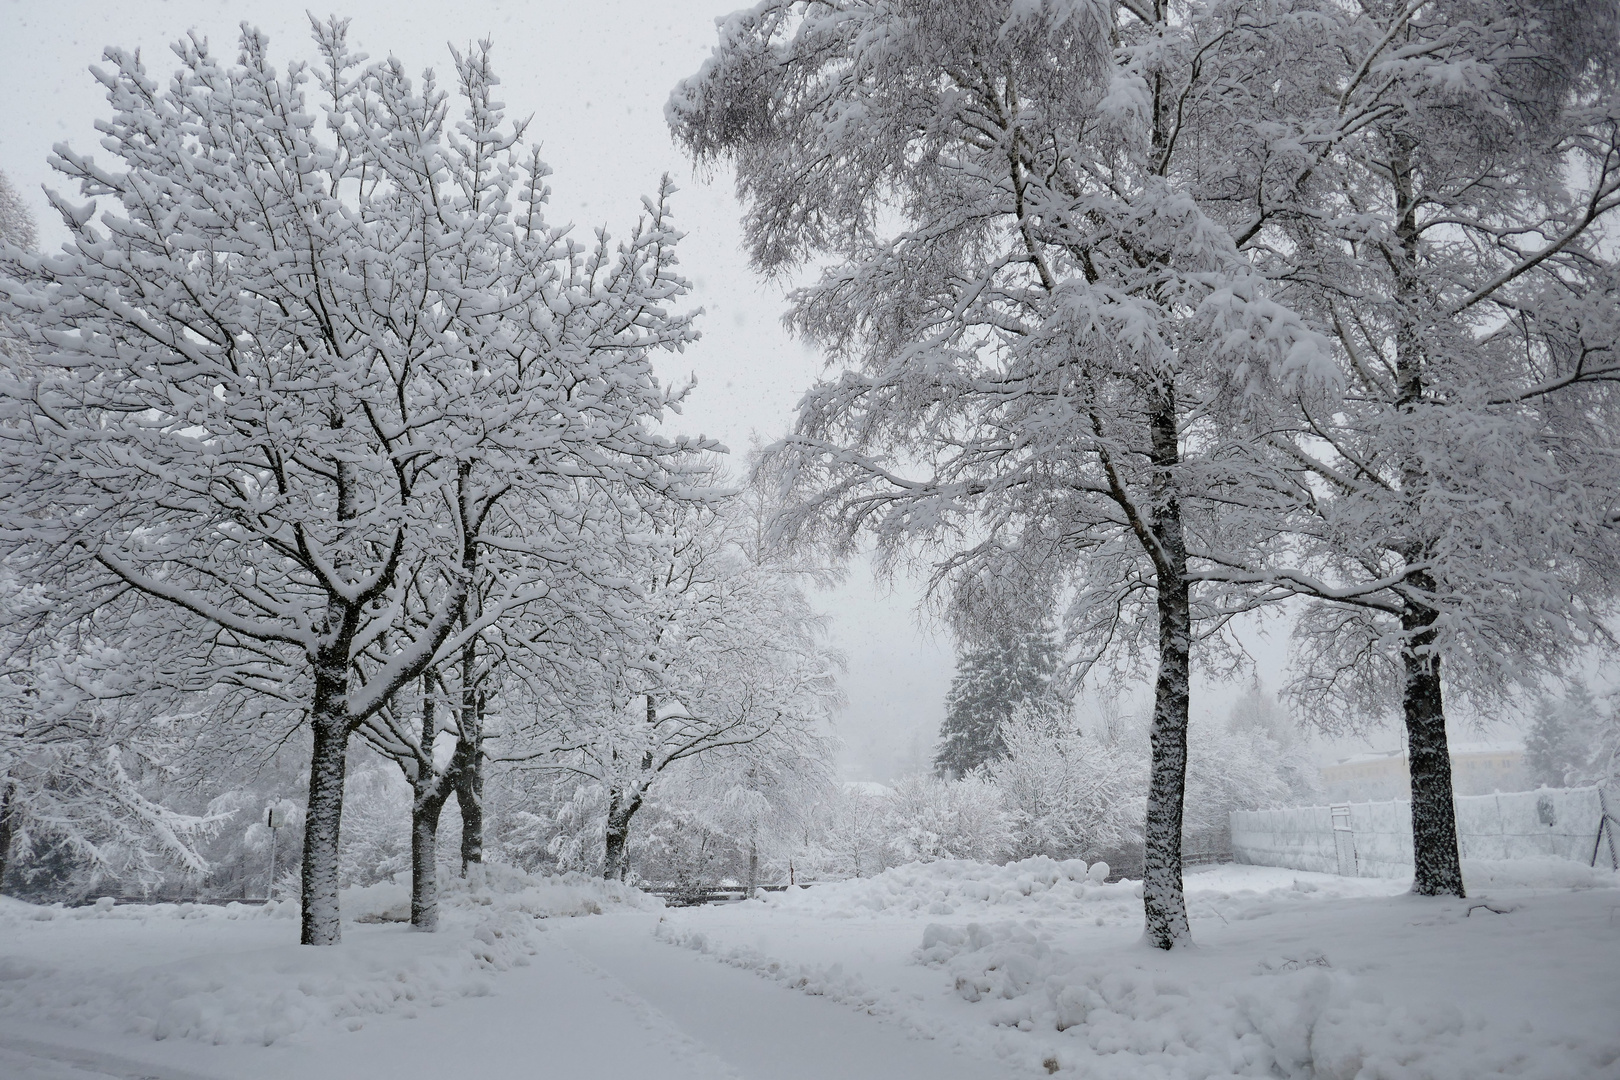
x: 286, y: 380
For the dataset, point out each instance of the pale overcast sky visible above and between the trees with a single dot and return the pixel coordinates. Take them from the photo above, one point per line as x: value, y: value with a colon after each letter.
x: 595, y: 75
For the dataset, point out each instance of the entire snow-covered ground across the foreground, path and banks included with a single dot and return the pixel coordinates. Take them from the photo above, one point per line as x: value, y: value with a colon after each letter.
x: 950, y: 972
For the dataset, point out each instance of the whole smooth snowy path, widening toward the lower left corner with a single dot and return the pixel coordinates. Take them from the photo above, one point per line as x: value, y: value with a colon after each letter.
x: 600, y: 1000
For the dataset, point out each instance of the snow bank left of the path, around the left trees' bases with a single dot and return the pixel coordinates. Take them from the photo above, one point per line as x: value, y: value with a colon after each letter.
x: 232, y: 976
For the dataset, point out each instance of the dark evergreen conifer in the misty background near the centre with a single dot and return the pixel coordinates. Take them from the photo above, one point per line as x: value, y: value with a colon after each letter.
x: 1007, y: 674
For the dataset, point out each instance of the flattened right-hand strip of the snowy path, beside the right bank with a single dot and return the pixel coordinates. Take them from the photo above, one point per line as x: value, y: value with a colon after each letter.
x: 761, y: 1029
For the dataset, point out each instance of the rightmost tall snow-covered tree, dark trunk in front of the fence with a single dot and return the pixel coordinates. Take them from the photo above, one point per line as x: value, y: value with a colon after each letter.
x: 1433, y: 184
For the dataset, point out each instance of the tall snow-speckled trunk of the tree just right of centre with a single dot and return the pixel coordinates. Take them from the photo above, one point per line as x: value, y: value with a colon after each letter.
x: 1164, y: 904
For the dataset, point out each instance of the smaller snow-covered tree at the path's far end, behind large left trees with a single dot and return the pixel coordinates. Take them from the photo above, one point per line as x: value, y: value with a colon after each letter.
x: 722, y: 653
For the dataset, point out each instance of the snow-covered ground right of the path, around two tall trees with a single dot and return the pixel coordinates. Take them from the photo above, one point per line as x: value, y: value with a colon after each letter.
x: 1041, y: 969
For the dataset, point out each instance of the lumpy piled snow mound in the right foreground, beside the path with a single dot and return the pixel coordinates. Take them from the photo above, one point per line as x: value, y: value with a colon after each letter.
x: 1297, y: 1018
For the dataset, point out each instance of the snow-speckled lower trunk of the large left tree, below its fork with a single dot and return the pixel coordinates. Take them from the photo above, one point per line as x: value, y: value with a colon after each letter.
x: 323, y: 819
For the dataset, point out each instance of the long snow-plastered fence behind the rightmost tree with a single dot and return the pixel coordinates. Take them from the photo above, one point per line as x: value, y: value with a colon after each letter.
x: 1550, y: 823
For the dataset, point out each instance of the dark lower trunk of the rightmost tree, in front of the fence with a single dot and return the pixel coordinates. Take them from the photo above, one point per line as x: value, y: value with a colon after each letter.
x: 1438, y: 870
